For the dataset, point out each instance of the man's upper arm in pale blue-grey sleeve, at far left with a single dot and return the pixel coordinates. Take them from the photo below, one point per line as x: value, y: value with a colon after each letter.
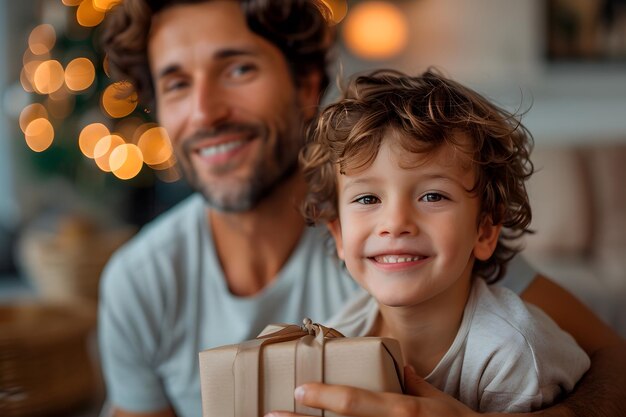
x: 127, y: 335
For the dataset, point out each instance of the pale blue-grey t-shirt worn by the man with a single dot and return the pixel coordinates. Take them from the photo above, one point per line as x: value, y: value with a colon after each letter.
x: 164, y: 299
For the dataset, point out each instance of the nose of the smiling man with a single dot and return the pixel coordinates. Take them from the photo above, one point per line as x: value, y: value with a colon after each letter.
x: 210, y: 104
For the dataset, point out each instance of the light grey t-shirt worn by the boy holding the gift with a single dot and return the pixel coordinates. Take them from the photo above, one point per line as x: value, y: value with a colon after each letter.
x: 507, y: 356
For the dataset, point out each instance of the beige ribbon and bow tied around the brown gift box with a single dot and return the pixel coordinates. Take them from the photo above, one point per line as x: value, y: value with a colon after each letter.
x: 309, y: 364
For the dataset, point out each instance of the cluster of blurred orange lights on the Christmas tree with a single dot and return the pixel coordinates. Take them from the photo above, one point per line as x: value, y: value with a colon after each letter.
x: 122, y: 151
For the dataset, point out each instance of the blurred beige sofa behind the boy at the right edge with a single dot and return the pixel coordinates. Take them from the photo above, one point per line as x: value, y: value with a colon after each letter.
x: 578, y: 196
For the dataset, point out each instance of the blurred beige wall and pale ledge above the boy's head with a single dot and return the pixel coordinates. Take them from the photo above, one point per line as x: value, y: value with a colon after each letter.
x: 496, y: 46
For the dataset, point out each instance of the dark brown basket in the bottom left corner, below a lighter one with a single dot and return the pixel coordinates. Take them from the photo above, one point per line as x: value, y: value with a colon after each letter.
x: 45, y: 365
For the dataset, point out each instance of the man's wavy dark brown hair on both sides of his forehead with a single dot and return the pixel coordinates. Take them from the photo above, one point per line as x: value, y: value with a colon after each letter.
x: 299, y: 28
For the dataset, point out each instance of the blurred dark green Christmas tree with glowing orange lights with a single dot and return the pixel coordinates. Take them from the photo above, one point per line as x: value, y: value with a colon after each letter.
x: 76, y: 126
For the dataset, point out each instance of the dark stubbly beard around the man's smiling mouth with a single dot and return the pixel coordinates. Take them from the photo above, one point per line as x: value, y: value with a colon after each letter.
x: 243, y: 194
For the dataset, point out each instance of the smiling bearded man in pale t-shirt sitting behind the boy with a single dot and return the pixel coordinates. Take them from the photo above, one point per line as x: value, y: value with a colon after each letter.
x: 235, y: 83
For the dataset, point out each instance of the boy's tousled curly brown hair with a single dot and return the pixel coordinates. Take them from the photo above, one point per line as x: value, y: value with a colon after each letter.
x: 428, y: 111
